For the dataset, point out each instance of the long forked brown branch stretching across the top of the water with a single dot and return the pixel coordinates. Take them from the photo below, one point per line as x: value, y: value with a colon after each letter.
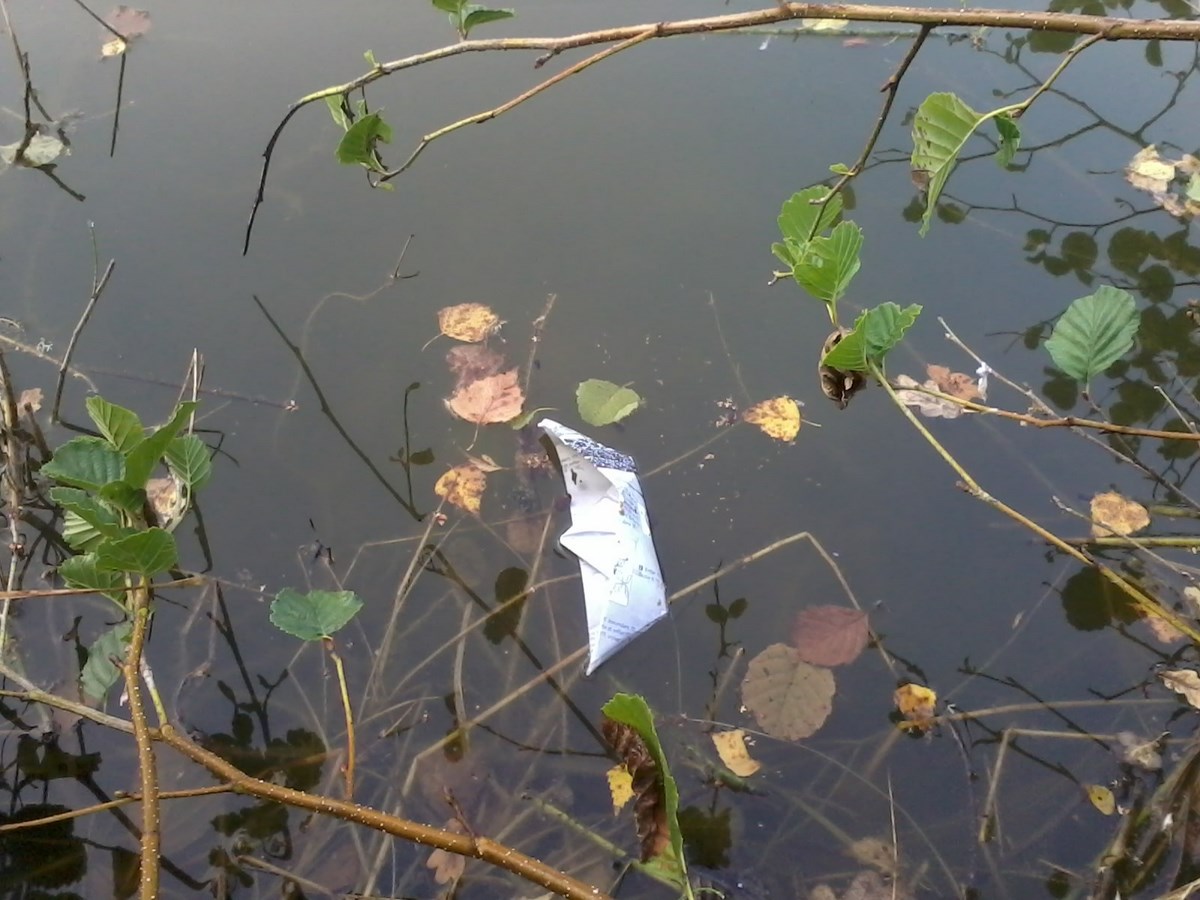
x: 1101, y: 27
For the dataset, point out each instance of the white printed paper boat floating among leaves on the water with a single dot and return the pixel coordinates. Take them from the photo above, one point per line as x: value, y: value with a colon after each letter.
x: 610, y: 533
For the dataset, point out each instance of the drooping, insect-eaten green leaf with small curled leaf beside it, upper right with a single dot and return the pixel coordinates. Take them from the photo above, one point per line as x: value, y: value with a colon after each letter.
x: 941, y: 129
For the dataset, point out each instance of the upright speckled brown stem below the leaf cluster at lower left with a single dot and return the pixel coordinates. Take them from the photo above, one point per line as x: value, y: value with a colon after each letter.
x: 148, y: 771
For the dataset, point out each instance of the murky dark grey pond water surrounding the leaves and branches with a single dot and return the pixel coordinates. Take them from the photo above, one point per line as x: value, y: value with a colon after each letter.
x: 643, y: 195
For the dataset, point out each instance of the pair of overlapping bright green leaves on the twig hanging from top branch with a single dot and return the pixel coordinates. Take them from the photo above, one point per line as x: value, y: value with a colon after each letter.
x: 824, y: 265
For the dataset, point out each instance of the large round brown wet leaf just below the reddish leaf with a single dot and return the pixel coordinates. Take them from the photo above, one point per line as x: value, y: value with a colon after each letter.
x: 789, y: 698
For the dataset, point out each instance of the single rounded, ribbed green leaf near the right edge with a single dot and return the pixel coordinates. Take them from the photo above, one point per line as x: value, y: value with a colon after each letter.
x: 1094, y: 333
